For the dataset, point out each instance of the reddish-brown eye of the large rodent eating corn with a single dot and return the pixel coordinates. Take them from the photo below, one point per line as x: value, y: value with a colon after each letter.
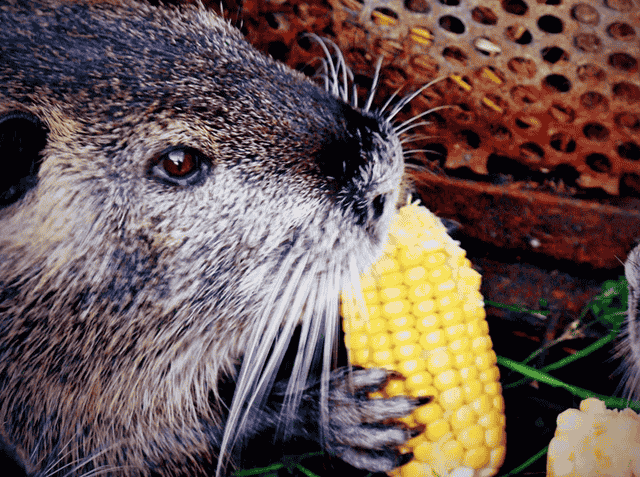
x: 180, y: 166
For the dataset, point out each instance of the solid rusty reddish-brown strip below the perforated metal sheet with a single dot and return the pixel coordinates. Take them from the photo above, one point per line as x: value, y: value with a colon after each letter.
x: 583, y: 232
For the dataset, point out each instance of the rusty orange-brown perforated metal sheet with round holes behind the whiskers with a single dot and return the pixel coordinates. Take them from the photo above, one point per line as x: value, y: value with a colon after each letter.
x: 546, y: 83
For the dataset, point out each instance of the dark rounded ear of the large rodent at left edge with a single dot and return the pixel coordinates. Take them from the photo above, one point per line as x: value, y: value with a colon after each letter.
x: 22, y: 138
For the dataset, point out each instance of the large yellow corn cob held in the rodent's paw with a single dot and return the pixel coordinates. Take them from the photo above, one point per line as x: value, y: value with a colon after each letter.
x: 426, y: 320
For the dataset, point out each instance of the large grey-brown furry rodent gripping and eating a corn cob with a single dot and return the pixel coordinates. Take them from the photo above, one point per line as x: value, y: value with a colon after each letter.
x: 175, y: 206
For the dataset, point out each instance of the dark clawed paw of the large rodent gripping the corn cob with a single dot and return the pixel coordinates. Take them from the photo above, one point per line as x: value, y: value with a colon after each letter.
x: 361, y: 431
